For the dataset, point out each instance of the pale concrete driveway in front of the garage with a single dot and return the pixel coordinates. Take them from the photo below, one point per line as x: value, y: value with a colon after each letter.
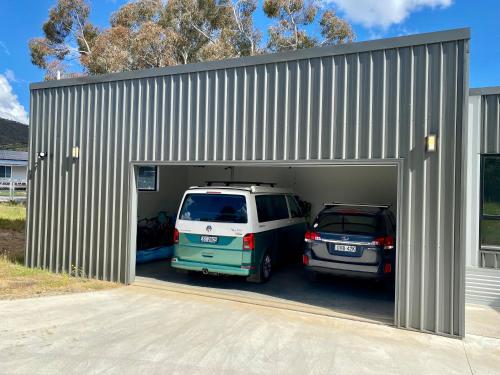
x: 149, y: 330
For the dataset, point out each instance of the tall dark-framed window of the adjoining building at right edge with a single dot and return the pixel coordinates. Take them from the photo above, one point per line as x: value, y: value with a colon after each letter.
x: 490, y: 201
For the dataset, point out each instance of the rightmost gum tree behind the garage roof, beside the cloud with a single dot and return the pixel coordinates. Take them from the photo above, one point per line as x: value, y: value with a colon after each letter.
x: 292, y: 17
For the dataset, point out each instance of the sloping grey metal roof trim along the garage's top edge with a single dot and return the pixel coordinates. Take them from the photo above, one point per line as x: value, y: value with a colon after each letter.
x: 372, y: 45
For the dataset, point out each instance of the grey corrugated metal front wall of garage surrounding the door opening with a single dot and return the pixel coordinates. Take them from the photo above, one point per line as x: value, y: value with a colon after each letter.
x: 372, y: 100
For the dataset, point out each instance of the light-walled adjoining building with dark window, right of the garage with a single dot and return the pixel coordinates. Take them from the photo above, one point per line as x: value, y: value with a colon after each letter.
x: 483, y: 197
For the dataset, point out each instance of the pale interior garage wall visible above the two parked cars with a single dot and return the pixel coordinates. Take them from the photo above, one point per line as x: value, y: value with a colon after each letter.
x: 317, y: 185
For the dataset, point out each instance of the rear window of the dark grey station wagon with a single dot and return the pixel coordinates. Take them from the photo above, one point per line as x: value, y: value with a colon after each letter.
x: 350, y: 224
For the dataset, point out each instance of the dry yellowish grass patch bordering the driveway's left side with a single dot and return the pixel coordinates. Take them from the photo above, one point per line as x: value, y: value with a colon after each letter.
x: 18, y: 281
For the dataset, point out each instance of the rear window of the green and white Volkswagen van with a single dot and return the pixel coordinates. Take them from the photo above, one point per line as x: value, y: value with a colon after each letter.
x: 221, y: 208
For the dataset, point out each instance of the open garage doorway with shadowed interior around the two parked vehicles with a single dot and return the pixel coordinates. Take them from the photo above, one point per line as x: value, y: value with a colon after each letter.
x: 162, y: 189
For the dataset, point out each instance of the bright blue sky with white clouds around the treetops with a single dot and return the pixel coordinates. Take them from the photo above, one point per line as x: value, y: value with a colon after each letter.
x: 21, y: 20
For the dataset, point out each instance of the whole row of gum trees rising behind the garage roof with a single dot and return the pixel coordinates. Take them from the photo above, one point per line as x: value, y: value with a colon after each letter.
x: 156, y: 33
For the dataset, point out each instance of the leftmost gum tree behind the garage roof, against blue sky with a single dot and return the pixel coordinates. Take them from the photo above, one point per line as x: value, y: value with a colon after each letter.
x: 67, y: 35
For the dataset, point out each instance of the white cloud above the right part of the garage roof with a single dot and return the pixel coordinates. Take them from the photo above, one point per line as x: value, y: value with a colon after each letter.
x: 383, y: 13
